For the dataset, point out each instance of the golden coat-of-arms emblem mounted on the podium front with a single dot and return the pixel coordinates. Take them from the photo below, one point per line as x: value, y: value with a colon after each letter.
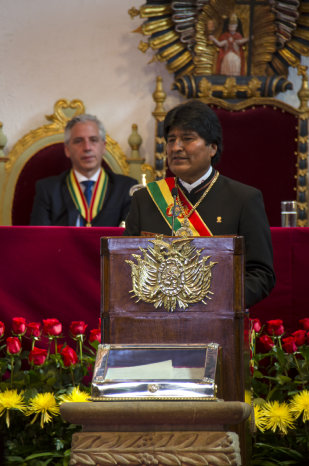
x: 171, y: 275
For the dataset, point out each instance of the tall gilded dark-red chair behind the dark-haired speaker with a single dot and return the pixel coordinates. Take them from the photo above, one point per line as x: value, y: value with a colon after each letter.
x: 265, y: 144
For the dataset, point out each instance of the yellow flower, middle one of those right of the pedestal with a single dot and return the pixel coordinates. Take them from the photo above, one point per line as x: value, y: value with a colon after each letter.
x: 278, y: 416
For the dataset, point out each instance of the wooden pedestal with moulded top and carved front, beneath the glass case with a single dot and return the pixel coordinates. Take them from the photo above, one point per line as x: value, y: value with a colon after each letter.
x: 156, y: 432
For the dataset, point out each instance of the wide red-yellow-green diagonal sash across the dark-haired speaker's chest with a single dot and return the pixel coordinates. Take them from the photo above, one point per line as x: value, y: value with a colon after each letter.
x: 161, y: 194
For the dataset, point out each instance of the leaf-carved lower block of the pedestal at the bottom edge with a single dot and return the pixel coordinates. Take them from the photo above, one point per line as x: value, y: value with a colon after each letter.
x: 155, y: 448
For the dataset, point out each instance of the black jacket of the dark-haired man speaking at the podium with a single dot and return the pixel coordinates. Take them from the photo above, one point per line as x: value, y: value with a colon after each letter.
x: 230, y: 208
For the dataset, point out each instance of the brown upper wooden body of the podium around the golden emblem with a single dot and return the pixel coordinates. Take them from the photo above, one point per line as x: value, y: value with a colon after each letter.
x: 222, y: 320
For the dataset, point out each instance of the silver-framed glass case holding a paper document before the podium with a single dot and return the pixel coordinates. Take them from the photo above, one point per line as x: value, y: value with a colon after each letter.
x: 149, y: 372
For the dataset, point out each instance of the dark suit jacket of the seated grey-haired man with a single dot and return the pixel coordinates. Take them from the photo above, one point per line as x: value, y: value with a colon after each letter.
x: 53, y: 204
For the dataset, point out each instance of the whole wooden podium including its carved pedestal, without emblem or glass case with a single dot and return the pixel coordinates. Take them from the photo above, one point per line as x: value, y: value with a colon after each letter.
x: 173, y: 431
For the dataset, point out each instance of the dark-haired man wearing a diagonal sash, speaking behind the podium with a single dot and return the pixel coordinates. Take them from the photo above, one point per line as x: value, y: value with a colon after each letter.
x: 207, y: 203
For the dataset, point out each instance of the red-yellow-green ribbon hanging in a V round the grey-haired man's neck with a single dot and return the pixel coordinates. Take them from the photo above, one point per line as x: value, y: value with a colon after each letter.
x: 97, y: 199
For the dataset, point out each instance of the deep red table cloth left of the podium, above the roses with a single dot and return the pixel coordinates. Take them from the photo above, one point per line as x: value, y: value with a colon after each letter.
x: 51, y: 272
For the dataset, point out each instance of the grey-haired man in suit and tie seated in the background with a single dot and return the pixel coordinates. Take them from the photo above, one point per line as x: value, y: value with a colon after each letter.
x: 87, y: 195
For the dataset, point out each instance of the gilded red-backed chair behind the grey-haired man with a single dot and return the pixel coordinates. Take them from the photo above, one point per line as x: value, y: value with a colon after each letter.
x: 40, y: 153
